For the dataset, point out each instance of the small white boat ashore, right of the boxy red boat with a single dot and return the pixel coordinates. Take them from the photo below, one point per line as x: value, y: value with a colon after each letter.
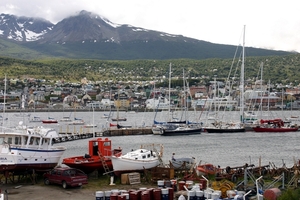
x: 136, y: 160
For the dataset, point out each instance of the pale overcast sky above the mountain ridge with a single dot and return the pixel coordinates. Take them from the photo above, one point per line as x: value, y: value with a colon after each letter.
x: 270, y: 24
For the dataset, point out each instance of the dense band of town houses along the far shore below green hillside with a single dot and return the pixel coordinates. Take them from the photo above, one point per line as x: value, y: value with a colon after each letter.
x: 37, y: 94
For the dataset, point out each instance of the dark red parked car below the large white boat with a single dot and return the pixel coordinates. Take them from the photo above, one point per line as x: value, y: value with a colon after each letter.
x: 66, y: 176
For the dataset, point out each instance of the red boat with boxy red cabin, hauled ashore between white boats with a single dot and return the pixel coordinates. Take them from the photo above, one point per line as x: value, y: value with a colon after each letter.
x: 99, y: 151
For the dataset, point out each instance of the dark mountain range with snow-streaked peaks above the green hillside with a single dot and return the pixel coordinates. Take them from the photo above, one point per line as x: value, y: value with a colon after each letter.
x: 89, y: 36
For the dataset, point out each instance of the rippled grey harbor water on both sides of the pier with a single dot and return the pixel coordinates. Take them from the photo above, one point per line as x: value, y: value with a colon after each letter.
x: 225, y: 149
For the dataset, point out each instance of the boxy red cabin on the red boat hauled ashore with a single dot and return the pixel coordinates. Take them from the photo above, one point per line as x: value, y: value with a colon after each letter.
x: 103, y: 146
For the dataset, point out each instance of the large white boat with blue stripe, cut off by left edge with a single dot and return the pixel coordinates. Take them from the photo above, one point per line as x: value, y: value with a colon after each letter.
x: 26, y: 148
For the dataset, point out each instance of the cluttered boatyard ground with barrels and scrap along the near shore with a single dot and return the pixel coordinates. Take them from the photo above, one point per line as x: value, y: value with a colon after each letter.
x: 167, y: 183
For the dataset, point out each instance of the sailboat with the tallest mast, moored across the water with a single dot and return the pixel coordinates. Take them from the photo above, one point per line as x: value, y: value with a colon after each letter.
x: 219, y: 126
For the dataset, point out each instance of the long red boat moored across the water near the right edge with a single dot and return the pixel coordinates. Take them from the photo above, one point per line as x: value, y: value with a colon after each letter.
x: 274, y: 125
